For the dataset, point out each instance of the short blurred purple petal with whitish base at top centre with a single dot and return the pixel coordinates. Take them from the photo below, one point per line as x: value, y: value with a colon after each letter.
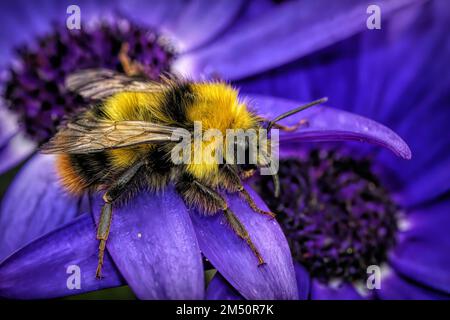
x: 202, y: 20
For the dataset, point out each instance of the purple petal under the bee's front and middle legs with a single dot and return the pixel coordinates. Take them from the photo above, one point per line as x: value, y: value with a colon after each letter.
x: 231, y: 256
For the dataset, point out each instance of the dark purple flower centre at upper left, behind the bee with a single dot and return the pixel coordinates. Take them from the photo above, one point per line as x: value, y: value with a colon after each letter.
x: 35, y: 86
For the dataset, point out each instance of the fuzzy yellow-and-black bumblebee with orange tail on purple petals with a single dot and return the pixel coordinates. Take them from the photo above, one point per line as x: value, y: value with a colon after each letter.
x: 122, y: 144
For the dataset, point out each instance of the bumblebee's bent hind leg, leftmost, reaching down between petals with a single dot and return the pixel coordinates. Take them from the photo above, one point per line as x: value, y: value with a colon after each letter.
x: 113, y: 192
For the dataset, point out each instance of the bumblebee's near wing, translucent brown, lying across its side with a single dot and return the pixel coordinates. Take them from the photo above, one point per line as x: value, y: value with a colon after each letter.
x: 88, y: 136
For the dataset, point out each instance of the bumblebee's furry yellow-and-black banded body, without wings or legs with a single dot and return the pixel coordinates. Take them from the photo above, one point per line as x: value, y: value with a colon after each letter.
x: 216, y: 105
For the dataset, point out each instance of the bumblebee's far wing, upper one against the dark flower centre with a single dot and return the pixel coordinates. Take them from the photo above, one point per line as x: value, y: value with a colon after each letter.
x: 99, y: 84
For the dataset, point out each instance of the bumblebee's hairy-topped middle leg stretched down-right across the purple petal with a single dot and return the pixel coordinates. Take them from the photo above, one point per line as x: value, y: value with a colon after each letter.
x: 197, y: 194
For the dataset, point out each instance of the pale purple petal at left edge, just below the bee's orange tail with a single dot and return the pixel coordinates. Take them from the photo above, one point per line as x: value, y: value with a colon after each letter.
x: 34, y: 204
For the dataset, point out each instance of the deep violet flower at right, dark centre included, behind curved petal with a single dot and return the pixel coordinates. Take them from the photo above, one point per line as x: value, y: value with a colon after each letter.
x: 346, y: 208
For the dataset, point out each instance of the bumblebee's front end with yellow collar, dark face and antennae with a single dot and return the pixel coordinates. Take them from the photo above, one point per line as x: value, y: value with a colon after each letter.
x: 232, y: 134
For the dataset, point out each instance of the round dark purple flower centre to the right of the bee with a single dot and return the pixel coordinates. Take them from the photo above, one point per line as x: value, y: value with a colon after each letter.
x: 335, y: 213
